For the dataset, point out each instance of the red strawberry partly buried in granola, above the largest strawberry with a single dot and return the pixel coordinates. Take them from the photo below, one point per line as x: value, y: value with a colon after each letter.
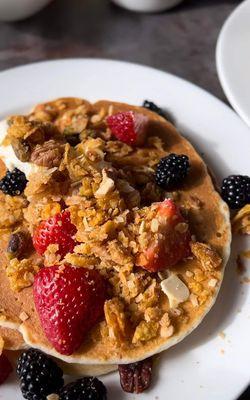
x: 55, y: 230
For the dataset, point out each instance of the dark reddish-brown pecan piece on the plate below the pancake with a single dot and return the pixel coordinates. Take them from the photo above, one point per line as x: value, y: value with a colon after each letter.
x: 136, y: 377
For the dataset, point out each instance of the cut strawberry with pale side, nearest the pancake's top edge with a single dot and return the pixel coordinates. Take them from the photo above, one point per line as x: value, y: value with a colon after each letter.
x: 128, y: 127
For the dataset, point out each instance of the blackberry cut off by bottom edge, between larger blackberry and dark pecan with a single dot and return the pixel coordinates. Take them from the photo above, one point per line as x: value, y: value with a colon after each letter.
x: 87, y: 388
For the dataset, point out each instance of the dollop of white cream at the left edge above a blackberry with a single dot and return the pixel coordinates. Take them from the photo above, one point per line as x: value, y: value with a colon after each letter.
x: 8, y: 156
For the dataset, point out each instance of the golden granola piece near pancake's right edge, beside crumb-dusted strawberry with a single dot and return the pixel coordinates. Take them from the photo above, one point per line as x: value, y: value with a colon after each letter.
x: 207, y: 256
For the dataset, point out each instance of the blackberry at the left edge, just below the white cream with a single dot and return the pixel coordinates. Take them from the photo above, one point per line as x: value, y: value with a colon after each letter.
x: 13, y: 183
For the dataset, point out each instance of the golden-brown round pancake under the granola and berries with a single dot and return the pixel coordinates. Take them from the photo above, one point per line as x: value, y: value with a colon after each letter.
x: 207, y: 215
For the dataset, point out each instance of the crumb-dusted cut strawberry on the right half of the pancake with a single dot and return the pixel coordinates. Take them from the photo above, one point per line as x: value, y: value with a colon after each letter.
x: 172, y: 245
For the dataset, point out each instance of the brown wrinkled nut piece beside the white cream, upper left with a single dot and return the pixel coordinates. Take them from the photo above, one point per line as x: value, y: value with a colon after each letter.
x: 48, y: 154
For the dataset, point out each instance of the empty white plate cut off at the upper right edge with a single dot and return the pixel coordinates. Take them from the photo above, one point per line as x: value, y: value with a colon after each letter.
x: 233, y: 59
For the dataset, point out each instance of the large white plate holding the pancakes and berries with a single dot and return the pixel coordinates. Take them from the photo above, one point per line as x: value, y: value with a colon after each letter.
x: 204, y: 366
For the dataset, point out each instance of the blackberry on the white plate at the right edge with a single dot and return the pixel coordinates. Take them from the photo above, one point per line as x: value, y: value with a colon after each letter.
x: 235, y: 190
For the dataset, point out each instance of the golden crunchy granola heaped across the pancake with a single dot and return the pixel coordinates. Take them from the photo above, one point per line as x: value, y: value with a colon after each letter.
x: 108, y: 187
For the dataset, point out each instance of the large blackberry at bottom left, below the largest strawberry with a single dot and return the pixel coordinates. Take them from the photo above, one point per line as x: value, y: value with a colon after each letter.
x: 39, y: 375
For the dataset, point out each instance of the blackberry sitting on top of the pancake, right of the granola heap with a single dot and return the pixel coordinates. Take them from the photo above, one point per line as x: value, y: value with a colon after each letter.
x: 172, y: 170
